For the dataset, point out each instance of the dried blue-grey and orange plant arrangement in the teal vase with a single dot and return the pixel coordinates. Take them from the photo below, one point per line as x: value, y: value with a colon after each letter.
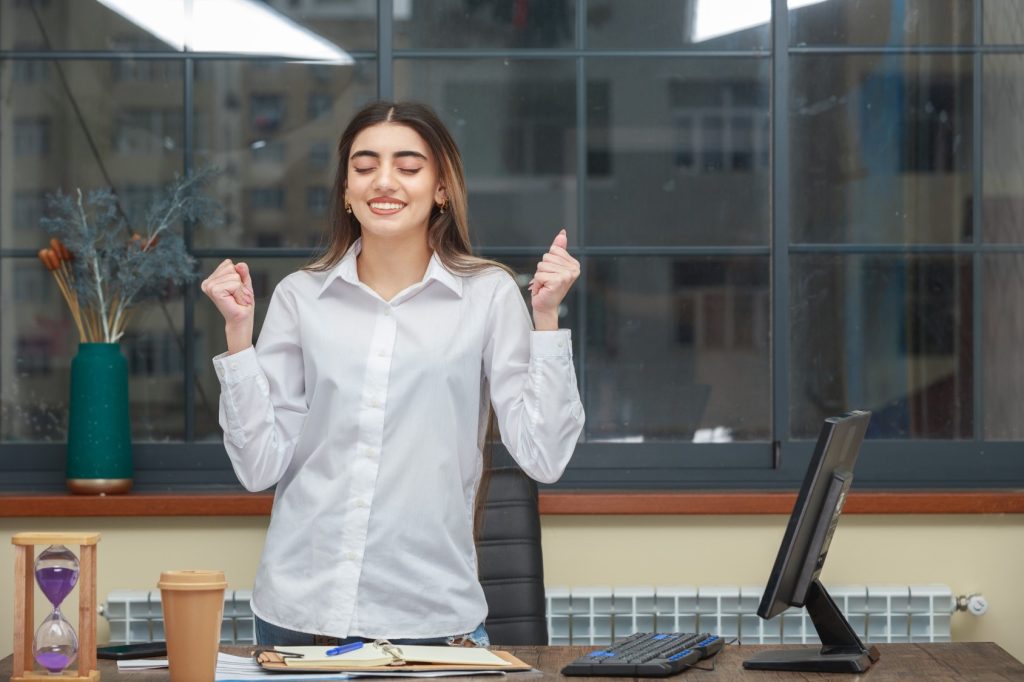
x: 104, y: 269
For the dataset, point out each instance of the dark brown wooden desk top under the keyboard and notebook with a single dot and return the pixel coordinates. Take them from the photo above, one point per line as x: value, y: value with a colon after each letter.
x: 976, y: 662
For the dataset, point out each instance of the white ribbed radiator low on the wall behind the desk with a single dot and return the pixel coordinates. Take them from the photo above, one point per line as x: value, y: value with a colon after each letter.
x: 600, y: 616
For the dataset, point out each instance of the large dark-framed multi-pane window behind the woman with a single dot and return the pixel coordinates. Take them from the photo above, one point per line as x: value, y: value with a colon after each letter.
x: 784, y: 211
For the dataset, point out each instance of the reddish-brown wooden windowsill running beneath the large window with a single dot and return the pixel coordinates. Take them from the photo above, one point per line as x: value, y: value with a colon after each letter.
x: 552, y: 503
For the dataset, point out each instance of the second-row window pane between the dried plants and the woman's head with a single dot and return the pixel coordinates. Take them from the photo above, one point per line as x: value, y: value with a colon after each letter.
x: 274, y: 126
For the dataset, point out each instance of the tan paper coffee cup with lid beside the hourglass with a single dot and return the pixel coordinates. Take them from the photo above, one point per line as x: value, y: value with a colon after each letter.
x: 194, y: 608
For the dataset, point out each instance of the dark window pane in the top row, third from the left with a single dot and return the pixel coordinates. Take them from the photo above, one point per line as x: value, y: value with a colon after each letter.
x: 450, y: 24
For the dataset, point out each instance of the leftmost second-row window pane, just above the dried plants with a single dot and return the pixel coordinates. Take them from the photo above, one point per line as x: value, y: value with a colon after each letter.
x: 111, y: 125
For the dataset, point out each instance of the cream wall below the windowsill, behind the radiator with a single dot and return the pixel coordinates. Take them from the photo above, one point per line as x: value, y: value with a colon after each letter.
x: 970, y: 553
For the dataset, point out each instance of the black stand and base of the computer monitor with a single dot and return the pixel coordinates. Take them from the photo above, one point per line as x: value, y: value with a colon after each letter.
x: 842, y: 651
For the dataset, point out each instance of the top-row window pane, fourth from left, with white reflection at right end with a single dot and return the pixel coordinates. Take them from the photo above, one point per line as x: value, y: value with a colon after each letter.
x: 678, y: 24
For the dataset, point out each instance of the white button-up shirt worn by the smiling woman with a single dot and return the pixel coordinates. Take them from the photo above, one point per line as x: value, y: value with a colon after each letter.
x: 369, y: 415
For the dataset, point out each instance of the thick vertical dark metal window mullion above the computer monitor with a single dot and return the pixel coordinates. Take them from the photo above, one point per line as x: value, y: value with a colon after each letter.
x: 780, y: 259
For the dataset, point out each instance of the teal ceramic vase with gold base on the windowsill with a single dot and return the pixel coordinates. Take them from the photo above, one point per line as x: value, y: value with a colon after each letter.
x: 99, y: 430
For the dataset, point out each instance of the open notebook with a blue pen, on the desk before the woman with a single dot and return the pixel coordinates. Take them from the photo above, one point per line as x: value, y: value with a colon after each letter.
x: 383, y: 655
